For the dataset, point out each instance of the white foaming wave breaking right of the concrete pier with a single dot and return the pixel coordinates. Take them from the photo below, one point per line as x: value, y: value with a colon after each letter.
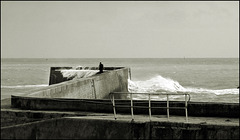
x: 162, y: 84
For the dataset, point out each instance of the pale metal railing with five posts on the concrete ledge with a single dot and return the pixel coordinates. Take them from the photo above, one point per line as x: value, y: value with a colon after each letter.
x: 149, y: 103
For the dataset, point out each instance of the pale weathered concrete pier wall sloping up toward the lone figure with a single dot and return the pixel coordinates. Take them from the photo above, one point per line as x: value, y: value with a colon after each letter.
x: 94, y: 87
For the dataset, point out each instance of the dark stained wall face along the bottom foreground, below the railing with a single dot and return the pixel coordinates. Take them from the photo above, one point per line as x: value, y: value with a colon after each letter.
x: 85, y: 128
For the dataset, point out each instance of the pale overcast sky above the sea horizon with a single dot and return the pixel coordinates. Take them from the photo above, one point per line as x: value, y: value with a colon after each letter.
x: 119, y: 29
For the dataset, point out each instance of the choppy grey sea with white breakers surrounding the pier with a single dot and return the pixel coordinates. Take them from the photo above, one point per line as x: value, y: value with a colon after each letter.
x: 205, y: 79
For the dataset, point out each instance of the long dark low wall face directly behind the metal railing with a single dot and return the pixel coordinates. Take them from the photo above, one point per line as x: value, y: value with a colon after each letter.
x: 105, y: 106
